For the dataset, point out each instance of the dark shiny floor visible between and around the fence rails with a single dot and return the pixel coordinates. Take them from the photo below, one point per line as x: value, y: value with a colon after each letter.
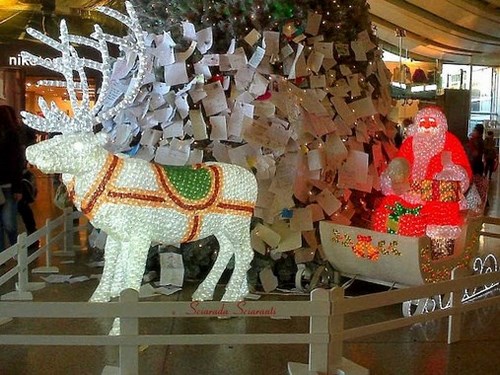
x: 420, y: 349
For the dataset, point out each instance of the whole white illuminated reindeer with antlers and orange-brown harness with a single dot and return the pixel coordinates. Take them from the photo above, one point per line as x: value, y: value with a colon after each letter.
x: 134, y: 201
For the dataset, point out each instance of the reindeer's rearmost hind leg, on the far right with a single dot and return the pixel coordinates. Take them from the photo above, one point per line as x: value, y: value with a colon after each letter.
x: 237, y: 287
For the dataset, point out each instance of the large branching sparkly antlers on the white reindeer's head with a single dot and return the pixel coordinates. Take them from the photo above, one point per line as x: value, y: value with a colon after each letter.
x: 84, y: 118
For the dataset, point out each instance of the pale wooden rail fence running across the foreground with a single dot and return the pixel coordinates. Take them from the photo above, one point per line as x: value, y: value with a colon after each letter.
x: 326, y: 310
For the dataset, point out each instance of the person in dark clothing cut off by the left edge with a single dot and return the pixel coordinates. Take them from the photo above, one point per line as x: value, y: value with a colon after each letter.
x: 11, y: 170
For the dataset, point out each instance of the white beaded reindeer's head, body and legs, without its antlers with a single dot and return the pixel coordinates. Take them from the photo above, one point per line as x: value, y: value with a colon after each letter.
x: 136, y: 202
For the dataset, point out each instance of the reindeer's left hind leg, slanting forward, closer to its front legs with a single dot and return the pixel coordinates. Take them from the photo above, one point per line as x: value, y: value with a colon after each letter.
x: 206, y: 289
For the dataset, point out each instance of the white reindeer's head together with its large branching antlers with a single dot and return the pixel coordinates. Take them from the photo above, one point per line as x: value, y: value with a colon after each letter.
x: 73, y: 150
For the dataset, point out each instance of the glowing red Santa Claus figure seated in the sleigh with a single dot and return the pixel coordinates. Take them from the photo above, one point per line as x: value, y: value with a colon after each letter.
x: 425, y: 183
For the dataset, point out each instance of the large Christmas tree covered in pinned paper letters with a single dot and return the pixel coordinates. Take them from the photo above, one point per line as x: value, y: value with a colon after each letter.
x: 294, y: 90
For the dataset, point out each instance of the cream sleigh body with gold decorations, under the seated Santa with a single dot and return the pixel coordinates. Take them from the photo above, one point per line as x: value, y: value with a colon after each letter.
x: 402, y: 261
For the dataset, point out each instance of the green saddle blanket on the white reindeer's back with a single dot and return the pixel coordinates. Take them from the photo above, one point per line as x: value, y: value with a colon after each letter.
x: 190, y: 183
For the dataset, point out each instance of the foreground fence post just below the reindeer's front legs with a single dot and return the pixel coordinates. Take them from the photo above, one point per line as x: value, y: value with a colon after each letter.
x: 129, y: 353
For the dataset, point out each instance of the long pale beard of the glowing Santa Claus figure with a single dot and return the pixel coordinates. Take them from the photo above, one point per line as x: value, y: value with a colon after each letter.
x: 425, y: 146
